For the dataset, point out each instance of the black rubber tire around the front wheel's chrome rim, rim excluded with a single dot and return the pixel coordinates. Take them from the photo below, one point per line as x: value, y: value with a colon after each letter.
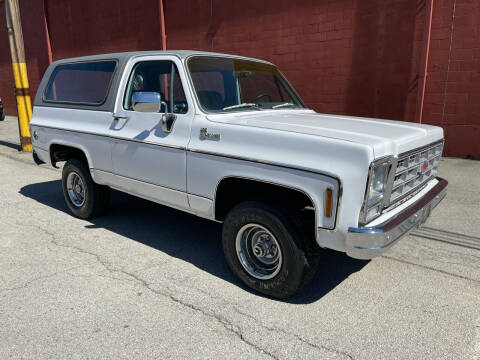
x: 296, y: 269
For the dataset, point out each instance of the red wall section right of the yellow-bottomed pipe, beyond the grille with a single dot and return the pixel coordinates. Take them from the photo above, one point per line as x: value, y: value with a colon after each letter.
x: 453, y: 87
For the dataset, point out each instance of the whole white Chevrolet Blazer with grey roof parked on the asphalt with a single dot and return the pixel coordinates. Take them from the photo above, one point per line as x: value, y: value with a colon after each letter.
x: 227, y: 138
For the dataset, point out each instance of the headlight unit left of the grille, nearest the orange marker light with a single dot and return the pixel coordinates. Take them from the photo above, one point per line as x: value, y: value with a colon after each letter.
x: 374, y: 196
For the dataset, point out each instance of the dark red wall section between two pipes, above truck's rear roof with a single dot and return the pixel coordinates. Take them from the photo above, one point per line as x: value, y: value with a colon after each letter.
x: 88, y: 27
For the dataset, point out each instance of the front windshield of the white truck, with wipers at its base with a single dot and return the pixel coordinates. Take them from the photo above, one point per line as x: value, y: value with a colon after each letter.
x: 229, y: 84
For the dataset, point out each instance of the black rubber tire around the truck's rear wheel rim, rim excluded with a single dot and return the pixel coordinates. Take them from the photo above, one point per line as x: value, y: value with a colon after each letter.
x: 96, y: 197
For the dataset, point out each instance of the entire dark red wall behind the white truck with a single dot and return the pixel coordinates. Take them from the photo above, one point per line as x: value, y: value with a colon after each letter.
x: 354, y: 57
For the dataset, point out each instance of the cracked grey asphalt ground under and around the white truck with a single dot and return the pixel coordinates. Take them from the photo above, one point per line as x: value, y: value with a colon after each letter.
x: 149, y: 282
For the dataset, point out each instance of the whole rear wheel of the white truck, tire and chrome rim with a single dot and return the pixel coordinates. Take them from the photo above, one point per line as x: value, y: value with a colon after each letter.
x: 84, y: 198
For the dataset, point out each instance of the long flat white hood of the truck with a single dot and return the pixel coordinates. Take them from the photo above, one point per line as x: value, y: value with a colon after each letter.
x: 385, y: 137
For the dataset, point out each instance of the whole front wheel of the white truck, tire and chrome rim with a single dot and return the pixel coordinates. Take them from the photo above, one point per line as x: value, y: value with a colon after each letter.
x: 264, y: 249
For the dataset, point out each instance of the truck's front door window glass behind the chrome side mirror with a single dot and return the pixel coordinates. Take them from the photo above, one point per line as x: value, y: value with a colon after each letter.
x: 155, y: 76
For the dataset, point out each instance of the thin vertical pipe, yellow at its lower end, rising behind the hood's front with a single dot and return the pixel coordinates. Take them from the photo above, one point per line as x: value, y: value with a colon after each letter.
x: 424, y: 62
